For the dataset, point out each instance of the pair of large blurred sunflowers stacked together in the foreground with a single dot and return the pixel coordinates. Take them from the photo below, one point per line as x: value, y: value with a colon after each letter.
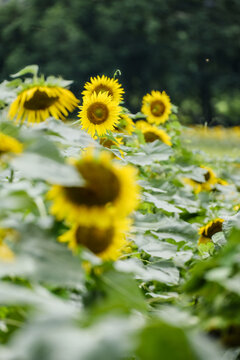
x: 97, y: 211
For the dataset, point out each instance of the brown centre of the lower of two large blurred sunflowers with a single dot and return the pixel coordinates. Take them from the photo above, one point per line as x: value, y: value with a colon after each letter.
x: 95, y: 239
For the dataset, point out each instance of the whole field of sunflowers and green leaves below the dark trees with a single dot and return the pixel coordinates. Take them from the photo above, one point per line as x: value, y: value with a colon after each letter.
x: 118, y: 239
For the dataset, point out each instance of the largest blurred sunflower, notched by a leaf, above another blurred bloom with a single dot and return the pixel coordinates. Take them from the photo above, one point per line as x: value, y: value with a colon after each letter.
x: 109, y: 188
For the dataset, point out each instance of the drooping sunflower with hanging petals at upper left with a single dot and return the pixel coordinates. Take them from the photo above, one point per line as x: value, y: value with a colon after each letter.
x: 37, y: 103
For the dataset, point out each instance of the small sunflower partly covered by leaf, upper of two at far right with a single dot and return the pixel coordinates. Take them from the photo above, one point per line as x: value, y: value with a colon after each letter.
x: 210, y: 180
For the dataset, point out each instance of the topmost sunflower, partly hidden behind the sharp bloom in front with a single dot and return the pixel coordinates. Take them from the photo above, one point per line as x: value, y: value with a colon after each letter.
x: 106, y: 85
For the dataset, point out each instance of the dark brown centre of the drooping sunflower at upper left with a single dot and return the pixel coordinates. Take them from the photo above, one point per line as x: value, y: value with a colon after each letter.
x: 40, y: 101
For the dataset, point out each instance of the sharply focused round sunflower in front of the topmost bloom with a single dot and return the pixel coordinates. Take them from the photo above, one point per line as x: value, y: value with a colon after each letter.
x: 99, y: 113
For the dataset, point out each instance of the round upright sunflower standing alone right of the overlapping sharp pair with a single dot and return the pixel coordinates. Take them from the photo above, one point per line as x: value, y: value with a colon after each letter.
x: 157, y: 107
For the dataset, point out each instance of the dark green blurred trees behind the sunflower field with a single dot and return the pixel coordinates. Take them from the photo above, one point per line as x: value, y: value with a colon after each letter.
x: 188, y: 48
